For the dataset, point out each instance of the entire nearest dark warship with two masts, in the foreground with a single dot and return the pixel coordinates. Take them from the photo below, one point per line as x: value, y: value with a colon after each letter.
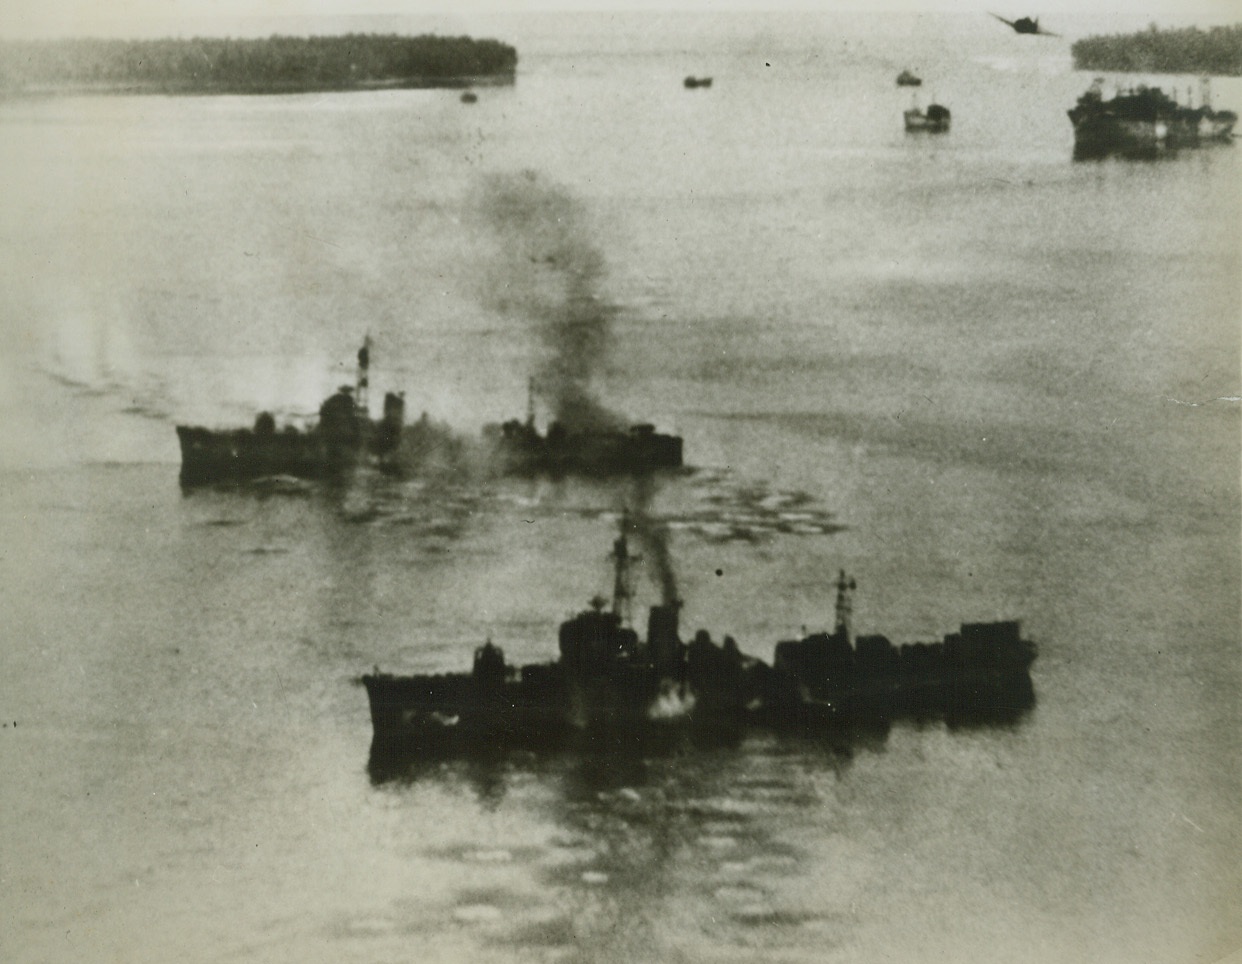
x: 610, y: 685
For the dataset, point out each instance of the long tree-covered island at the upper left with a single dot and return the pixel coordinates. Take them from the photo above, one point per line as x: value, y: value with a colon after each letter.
x: 271, y: 64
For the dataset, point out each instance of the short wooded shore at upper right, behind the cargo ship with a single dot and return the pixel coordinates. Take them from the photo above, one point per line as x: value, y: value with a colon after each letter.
x: 1189, y: 50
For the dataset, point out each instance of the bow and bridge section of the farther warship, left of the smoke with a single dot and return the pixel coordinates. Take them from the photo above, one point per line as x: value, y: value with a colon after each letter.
x: 343, y: 438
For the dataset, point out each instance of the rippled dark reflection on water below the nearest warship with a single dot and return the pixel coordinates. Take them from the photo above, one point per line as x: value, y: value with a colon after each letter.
x: 711, y: 842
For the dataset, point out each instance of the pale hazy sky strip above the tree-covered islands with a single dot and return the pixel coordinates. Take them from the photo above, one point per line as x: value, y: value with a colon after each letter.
x: 42, y: 18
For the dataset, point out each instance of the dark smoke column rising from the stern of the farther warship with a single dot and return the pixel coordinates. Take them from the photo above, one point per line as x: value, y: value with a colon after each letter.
x: 548, y: 273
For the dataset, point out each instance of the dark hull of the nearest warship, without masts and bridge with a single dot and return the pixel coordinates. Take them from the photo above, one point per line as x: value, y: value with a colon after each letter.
x: 984, y: 681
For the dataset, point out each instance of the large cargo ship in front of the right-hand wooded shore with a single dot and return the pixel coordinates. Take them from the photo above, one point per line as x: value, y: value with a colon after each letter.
x: 1143, y: 121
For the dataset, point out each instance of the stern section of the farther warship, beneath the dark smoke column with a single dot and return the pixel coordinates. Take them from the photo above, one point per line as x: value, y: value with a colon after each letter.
x: 519, y: 448
